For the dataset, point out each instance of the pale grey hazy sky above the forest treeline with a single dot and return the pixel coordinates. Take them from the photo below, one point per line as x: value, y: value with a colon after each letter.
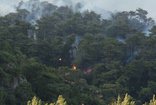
x: 7, y: 6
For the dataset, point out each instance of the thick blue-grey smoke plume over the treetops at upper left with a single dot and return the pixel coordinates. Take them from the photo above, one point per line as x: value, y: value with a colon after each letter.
x: 36, y: 9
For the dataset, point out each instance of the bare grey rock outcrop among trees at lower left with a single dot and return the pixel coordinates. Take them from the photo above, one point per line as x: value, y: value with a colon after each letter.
x: 17, y: 81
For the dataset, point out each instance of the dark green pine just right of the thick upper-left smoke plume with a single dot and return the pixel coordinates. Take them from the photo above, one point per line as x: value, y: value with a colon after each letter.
x: 46, y: 26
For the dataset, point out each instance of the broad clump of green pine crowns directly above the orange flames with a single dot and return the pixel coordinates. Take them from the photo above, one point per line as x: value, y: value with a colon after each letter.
x: 98, y: 48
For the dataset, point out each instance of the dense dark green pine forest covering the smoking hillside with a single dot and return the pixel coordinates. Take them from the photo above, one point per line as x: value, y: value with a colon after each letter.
x: 47, y: 51
